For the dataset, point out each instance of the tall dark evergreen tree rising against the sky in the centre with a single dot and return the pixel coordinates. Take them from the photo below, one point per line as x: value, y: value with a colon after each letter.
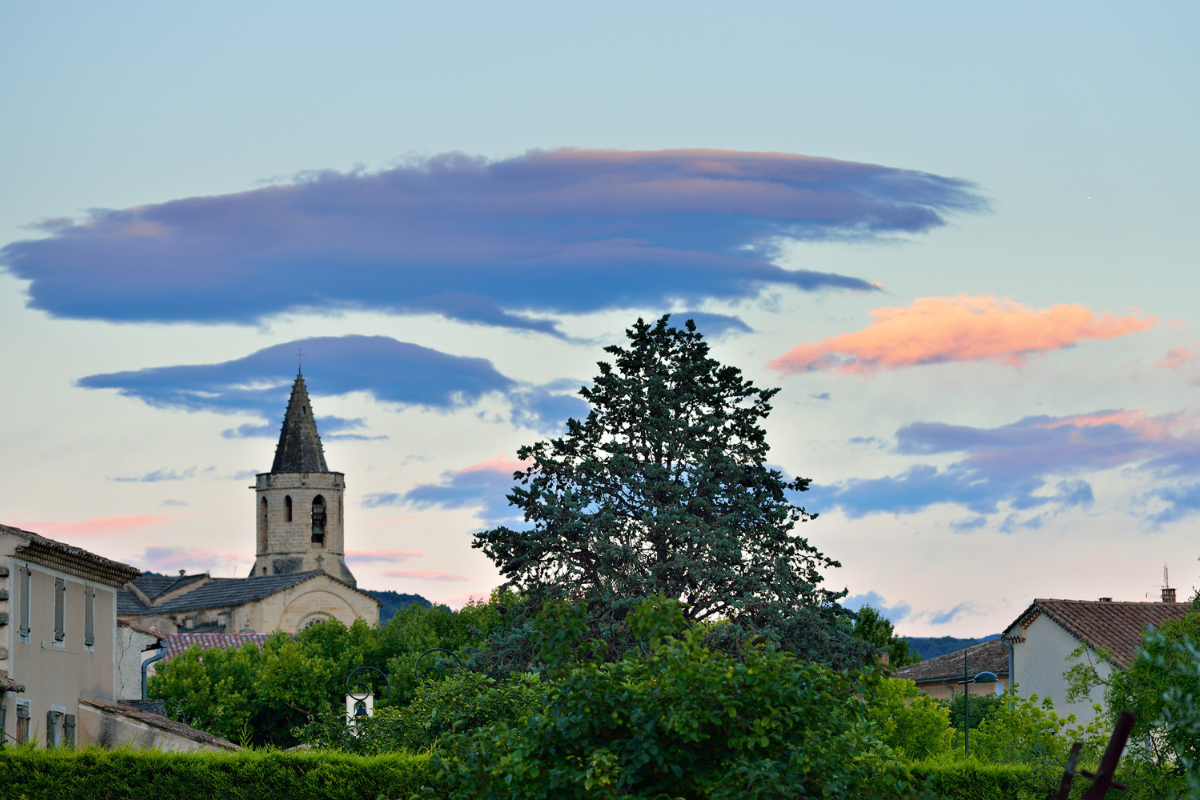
x: 665, y: 489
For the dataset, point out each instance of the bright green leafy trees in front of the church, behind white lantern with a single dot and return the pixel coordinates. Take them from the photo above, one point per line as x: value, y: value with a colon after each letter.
x: 272, y: 691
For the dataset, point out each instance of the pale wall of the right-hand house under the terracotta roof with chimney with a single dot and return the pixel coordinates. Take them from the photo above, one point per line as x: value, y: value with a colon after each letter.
x: 1042, y: 660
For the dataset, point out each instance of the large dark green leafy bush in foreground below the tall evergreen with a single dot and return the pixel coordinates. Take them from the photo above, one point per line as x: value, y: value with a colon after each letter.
x: 680, y: 721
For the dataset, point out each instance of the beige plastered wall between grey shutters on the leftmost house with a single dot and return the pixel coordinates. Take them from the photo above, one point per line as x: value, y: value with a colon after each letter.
x: 56, y: 673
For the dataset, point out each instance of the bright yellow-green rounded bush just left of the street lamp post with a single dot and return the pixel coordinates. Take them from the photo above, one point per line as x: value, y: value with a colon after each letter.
x: 913, y: 725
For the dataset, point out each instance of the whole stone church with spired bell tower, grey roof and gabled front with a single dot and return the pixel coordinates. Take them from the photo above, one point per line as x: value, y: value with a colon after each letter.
x: 299, y: 578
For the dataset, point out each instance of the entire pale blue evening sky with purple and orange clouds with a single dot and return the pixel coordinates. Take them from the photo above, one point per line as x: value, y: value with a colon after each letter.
x: 961, y: 239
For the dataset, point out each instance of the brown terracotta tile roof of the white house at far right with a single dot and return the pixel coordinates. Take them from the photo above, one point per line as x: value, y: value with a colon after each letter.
x: 1113, y: 627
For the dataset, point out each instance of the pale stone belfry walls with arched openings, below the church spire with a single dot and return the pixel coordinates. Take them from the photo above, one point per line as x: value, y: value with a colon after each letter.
x: 286, y: 539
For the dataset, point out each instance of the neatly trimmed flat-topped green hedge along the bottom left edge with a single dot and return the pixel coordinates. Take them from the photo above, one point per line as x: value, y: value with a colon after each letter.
x: 95, y: 774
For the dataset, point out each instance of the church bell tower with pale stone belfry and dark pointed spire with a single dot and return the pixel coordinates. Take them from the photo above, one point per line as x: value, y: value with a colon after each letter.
x: 299, y: 503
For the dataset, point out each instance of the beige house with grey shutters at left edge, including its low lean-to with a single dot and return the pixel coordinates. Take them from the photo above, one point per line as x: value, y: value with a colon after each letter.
x: 69, y: 672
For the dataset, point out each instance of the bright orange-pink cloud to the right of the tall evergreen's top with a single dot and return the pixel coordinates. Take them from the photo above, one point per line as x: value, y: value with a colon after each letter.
x: 938, y: 330
